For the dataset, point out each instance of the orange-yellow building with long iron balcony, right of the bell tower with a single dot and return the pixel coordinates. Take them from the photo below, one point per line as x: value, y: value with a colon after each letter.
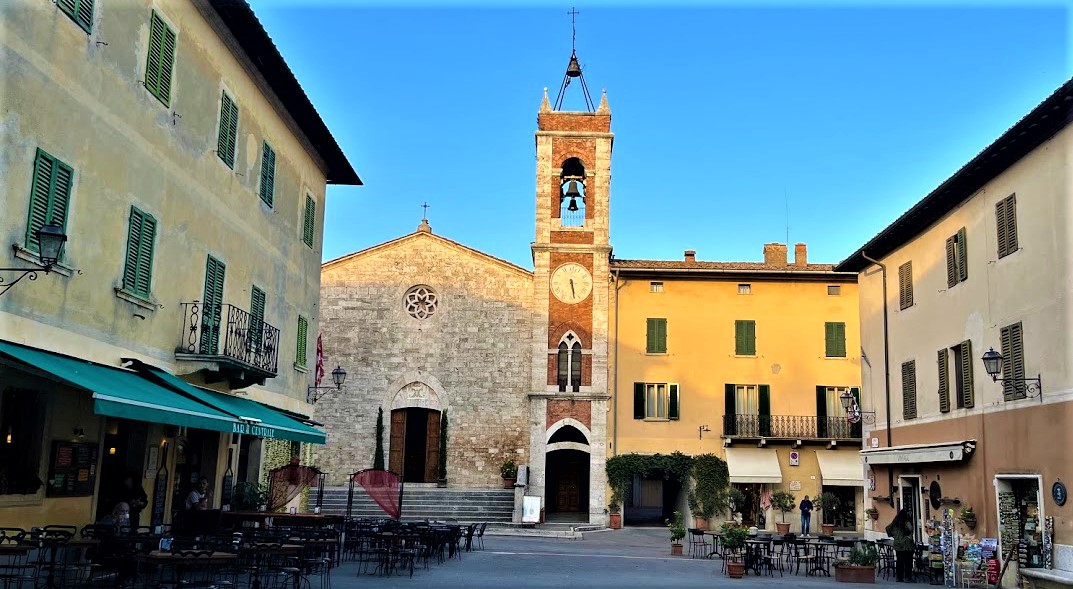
x: 746, y: 361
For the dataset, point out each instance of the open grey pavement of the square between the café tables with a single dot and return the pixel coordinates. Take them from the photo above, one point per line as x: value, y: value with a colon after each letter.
x: 633, y: 557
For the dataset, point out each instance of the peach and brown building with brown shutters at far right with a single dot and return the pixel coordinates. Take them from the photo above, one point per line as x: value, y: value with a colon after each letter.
x: 983, y: 262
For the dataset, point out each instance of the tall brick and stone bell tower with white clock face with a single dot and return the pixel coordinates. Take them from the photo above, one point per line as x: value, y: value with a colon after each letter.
x: 569, y: 397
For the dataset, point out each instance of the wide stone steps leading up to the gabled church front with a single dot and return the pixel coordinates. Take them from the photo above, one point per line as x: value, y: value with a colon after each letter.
x: 492, y: 506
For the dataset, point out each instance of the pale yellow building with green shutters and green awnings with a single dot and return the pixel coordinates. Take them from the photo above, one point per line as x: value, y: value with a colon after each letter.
x: 171, y: 145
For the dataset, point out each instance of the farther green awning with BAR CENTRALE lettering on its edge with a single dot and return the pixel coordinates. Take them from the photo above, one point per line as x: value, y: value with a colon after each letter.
x: 253, y: 418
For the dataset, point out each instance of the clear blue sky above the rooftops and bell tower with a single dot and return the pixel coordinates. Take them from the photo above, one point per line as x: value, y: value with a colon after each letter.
x: 724, y: 114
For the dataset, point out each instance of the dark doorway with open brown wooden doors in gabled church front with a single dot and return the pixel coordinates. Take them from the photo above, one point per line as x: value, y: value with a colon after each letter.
x: 415, y: 447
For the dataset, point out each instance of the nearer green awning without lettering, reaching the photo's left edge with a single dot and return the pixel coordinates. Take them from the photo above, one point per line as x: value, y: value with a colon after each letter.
x: 120, y: 393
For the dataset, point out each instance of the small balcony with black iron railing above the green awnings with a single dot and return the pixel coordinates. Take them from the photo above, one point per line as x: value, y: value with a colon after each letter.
x: 245, y: 351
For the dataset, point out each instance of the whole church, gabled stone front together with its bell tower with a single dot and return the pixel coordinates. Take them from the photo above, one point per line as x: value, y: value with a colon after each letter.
x: 517, y: 358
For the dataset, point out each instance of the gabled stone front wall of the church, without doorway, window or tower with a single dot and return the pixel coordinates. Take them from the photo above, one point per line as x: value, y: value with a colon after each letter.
x: 474, y: 354
